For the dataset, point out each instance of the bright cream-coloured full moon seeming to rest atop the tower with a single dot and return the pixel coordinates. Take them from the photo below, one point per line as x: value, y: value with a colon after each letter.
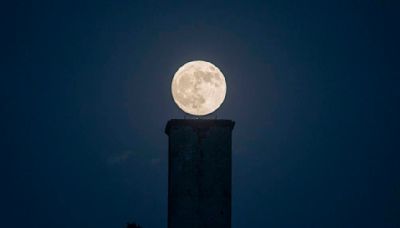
x: 198, y: 88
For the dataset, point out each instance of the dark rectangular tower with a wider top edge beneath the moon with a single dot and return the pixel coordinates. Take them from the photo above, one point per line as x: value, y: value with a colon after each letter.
x: 200, y: 173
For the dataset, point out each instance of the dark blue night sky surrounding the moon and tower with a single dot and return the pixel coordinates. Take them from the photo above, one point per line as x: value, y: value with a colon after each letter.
x: 313, y: 87
